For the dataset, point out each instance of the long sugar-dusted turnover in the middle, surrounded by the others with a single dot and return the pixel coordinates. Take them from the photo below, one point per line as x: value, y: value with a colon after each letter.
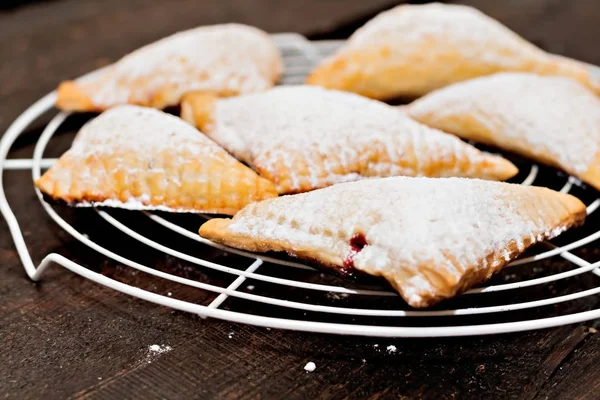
x: 304, y: 137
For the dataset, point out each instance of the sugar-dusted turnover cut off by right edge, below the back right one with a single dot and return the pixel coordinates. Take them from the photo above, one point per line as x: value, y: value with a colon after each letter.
x: 553, y: 120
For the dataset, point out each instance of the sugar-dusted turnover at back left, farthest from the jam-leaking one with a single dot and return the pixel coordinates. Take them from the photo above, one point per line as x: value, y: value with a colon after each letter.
x: 223, y: 59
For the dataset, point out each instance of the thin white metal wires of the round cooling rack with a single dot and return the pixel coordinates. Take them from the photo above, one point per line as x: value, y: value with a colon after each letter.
x: 299, y: 56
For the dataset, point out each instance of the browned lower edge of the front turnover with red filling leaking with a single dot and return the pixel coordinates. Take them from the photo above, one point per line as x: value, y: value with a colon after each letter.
x: 217, y: 230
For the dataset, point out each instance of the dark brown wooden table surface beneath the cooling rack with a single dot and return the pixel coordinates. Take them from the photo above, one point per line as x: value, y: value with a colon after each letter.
x: 67, y: 337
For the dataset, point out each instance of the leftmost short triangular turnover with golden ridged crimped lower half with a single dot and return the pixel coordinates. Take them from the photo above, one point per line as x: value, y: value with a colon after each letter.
x: 143, y: 159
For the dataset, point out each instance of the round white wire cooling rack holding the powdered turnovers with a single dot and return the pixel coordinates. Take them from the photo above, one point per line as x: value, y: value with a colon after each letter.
x: 533, y: 293
